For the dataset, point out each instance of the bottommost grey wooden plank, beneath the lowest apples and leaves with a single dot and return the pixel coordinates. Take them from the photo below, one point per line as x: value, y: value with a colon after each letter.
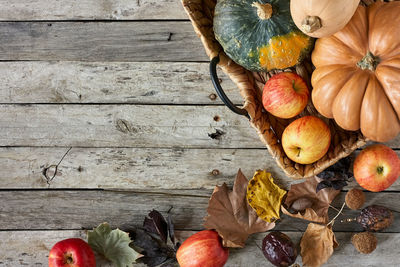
x: 31, y: 248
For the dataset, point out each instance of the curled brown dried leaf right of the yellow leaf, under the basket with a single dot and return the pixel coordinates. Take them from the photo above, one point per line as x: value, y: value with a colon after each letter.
x: 318, y: 210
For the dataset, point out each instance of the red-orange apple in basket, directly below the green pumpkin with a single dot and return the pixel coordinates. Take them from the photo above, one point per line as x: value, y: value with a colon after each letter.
x: 285, y: 95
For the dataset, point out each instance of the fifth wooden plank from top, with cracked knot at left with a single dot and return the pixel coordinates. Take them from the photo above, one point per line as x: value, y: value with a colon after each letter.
x: 133, y: 168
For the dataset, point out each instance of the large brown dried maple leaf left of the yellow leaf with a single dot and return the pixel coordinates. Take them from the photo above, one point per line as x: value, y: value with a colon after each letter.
x: 231, y: 216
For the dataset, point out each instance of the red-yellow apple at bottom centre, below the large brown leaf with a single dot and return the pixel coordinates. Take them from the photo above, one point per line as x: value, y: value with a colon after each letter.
x: 203, y: 249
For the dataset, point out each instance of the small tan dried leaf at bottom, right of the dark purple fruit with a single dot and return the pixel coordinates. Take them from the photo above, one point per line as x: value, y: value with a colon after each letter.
x: 317, y: 244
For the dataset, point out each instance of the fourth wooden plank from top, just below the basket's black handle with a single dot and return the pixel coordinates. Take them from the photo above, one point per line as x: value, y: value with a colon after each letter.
x: 124, y: 126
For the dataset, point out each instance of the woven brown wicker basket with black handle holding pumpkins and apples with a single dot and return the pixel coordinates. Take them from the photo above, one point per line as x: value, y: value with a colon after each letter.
x: 250, y: 84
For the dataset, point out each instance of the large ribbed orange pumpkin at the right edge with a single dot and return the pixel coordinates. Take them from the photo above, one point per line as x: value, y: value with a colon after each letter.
x: 357, y: 75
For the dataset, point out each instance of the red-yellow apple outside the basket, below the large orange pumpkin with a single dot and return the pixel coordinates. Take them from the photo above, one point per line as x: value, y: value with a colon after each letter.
x: 376, y: 168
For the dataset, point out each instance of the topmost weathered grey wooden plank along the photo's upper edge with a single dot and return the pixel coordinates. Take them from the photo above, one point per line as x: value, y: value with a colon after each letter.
x: 90, y: 9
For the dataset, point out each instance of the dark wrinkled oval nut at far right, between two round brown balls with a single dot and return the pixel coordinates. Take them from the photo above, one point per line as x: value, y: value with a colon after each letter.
x: 375, y: 218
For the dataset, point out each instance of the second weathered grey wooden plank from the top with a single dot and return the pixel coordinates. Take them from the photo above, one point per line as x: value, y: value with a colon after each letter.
x: 100, y: 41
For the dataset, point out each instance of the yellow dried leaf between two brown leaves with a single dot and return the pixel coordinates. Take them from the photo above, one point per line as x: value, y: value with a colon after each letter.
x: 264, y: 196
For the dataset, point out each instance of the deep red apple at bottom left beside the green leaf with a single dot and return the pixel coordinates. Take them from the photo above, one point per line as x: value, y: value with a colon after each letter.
x: 72, y: 252
